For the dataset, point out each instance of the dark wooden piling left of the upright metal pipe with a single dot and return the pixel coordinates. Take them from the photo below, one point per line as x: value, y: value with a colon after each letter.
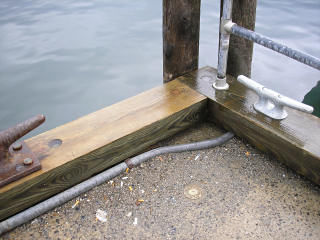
x: 181, y: 25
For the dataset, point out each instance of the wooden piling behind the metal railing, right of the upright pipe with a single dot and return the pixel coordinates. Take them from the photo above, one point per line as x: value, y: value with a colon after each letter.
x: 240, y: 50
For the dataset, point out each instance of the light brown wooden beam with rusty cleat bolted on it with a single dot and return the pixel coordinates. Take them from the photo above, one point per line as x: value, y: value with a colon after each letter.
x: 99, y: 140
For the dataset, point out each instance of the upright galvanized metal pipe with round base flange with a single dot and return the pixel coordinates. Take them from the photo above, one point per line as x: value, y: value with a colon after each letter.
x: 221, y: 83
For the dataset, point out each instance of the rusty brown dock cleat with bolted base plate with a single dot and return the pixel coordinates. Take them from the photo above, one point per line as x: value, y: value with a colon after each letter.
x: 16, y: 159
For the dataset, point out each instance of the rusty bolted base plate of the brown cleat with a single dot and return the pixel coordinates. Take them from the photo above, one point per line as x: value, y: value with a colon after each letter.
x: 13, y: 168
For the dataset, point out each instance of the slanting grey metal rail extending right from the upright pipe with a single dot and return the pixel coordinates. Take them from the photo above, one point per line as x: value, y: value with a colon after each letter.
x: 280, y: 48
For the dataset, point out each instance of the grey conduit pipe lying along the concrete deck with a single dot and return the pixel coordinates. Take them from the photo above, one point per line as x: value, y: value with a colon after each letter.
x: 85, y: 186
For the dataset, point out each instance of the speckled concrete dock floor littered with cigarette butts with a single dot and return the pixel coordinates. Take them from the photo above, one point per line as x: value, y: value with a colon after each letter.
x: 228, y: 192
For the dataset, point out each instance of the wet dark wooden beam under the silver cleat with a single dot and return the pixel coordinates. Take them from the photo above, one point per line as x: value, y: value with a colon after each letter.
x: 295, y: 141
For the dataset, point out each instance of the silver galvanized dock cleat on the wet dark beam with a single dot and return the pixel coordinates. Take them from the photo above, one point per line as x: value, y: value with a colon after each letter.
x: 271, y: 103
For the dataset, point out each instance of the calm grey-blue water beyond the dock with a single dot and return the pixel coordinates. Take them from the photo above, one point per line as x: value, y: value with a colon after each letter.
x: 68, y: 58
